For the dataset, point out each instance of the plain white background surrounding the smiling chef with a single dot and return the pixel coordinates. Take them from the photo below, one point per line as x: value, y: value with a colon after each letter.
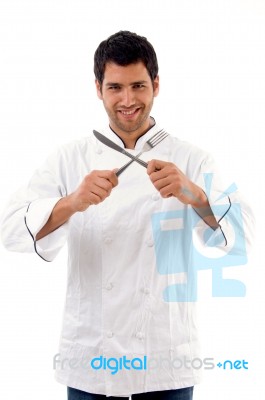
x: 212, y: 70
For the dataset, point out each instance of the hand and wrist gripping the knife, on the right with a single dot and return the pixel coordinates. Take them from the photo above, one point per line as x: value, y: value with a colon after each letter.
x: 169, y: 180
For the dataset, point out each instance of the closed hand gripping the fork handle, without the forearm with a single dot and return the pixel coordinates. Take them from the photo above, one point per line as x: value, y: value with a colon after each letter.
x: 94, y: 189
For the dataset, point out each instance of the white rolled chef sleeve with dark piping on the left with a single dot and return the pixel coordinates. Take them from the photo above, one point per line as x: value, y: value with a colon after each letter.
x: 29, y: 210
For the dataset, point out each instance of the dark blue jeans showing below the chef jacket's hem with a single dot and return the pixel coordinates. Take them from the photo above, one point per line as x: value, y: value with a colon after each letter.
x: 175, y: 394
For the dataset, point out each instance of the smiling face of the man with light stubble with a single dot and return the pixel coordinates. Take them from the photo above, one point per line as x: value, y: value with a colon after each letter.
x: 128, y: 94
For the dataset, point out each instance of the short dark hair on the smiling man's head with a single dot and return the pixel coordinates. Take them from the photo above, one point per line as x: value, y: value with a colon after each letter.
x: 124, y: 48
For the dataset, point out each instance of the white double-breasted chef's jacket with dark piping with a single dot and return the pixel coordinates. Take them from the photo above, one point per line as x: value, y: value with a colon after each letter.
x: 115, y: 304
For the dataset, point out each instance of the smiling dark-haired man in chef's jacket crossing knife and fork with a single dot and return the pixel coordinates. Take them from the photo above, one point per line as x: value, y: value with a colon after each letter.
x: 124, y: 332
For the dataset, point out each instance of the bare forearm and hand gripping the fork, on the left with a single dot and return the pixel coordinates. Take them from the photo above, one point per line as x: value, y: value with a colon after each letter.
x: 94, y: 189
